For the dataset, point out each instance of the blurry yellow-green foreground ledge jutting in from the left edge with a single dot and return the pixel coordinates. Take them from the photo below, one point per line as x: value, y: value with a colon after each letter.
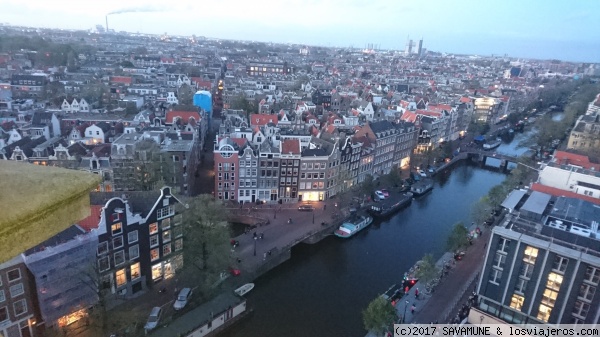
x: 39, y: 202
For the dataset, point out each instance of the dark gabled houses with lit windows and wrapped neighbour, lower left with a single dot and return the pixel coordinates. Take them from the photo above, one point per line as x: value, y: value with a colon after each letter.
x: 129, y: 243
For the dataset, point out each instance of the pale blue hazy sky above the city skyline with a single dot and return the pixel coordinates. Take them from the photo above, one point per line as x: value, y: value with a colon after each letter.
x: 560, y: 29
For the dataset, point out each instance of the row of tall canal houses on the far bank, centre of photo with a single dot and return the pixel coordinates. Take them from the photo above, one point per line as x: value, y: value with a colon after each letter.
x: 263, y: 162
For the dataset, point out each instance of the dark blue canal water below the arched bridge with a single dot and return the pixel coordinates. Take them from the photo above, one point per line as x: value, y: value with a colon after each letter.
x: 323, y: 289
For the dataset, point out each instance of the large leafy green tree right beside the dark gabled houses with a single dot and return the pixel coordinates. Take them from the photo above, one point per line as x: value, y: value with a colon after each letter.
x: 206, y: 247
